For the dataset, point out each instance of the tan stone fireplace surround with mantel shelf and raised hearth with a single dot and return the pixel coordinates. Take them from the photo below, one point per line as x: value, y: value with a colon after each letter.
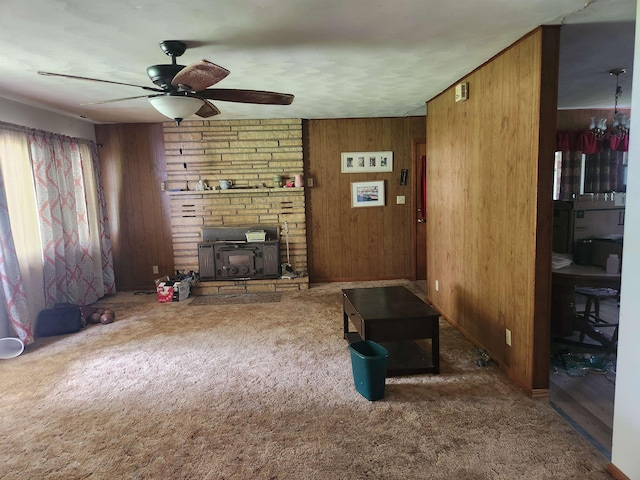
x: 249, y: 153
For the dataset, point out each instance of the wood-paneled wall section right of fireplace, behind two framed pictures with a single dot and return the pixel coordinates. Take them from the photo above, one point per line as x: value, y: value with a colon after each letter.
x: 365, y: 243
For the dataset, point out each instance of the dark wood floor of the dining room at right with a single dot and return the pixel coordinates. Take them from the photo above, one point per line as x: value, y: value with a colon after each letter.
x: 586, y: 401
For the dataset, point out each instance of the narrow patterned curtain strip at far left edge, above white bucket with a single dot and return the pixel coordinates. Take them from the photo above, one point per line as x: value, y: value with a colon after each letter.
x: 12, y: 295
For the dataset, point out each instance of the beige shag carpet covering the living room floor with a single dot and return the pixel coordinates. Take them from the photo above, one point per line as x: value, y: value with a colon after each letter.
x: 264, y: 391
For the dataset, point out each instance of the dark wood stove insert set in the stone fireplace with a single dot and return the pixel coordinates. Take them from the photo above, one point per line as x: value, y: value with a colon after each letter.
x: 228, y: 259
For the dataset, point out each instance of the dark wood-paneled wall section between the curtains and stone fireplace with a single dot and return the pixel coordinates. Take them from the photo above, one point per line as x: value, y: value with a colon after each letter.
x: 133, y: 166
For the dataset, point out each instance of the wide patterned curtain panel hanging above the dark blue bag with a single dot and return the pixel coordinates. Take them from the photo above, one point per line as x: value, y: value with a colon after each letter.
x: 64, y: 227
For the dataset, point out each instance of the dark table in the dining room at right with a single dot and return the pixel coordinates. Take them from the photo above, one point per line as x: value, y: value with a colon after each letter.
x: 564, y: 320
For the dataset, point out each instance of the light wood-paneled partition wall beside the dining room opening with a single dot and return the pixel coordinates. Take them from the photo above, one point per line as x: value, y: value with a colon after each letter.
x: 489, y: 205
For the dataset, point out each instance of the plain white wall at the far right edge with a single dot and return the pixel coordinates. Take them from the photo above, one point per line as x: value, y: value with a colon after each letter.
x: 625, y: 454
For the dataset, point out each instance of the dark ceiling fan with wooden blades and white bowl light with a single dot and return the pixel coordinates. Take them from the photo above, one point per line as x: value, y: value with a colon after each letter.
x: 182, y: 91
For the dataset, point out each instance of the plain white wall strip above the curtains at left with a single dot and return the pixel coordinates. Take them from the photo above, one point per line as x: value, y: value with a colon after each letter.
x: 28, y: 116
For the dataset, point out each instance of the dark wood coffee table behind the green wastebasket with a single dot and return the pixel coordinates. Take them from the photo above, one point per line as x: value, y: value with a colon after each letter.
x: 395, y: 318
